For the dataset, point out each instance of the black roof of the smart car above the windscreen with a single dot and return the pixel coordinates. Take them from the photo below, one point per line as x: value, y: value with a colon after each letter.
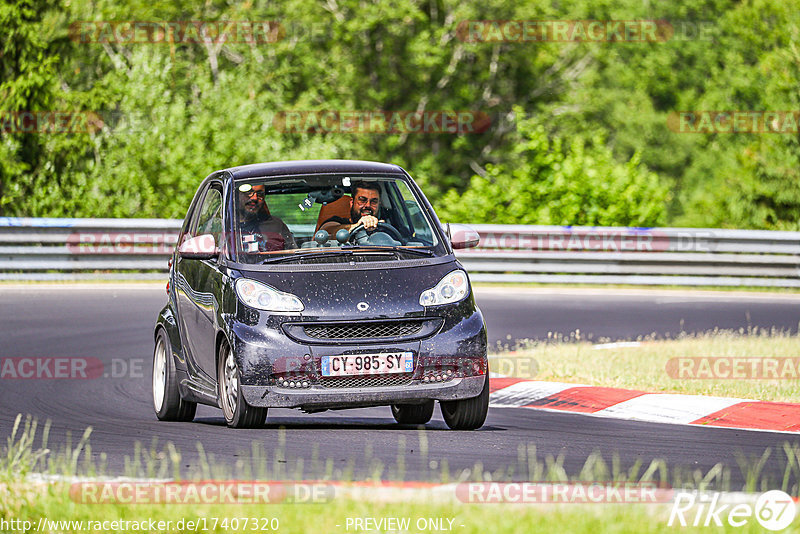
x: 282, y: 168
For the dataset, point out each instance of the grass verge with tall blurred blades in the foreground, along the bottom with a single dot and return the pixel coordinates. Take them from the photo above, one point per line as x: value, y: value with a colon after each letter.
x: 48, y: 504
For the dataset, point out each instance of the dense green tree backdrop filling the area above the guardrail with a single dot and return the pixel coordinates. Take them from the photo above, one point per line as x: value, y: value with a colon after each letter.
x: 580, y: 131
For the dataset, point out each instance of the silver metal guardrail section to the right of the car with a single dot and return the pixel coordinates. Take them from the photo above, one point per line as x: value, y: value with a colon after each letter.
x: 641, y: 256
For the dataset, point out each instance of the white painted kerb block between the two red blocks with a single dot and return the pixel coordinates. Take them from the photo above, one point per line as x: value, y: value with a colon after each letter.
x: 667, y: 408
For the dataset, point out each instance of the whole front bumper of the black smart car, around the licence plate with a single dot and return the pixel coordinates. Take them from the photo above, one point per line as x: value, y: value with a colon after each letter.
x: 456, y: 354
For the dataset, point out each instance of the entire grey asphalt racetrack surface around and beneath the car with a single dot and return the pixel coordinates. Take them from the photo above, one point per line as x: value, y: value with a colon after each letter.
x: 114, y: 324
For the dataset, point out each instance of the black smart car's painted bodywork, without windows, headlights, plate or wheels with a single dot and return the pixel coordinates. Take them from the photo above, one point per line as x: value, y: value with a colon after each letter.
x: 349, y: 308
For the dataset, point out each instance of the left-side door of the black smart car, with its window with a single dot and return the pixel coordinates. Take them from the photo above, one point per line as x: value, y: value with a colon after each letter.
x: 199, y: 286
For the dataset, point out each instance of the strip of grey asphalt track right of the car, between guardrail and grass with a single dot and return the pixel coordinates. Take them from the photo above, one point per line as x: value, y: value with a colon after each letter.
x: 627, y: 314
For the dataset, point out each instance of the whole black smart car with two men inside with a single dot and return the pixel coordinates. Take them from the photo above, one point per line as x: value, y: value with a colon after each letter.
x: 319, y: 285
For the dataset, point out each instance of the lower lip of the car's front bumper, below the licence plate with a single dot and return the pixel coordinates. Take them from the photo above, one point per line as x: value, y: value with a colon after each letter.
x: 315, y: 397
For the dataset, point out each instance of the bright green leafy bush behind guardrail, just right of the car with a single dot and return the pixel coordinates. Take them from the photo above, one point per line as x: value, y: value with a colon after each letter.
x: 554, y: 181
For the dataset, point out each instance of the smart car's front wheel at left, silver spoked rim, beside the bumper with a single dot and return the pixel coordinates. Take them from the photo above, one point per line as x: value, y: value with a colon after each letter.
x: 238, y: 414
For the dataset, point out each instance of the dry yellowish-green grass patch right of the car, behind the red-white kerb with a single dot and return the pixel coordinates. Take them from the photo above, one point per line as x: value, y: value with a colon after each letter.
x: 643, y: 364
